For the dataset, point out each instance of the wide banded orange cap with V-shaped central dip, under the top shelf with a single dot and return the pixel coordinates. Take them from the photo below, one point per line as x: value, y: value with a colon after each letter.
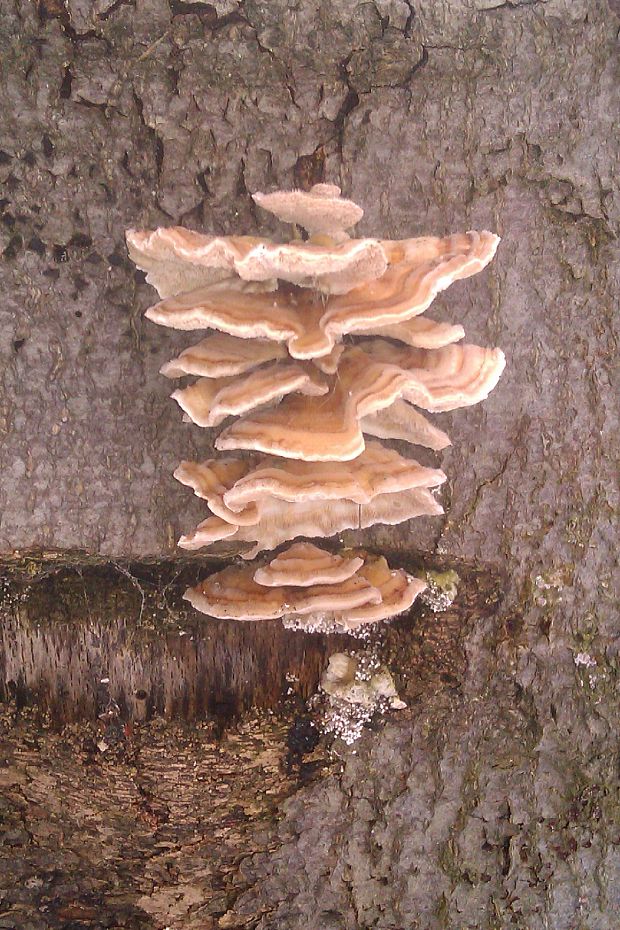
x: 311, y: 326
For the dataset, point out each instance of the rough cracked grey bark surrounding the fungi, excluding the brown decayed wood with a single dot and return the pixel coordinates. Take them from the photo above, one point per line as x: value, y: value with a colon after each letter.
x: 490, y: 805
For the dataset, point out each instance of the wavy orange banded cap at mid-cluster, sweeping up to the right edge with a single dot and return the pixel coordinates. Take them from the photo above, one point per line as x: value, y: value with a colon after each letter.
x: 371, y: 379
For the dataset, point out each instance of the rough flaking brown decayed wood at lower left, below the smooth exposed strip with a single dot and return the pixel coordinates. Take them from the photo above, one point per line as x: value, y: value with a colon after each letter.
x: 143, y: 835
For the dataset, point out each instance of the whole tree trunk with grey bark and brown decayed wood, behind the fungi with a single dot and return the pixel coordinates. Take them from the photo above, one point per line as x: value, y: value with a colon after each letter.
x: 492, y: 801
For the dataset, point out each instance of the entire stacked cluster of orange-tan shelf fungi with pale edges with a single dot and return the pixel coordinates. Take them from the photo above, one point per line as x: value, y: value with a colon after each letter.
x: 317, y: 350
